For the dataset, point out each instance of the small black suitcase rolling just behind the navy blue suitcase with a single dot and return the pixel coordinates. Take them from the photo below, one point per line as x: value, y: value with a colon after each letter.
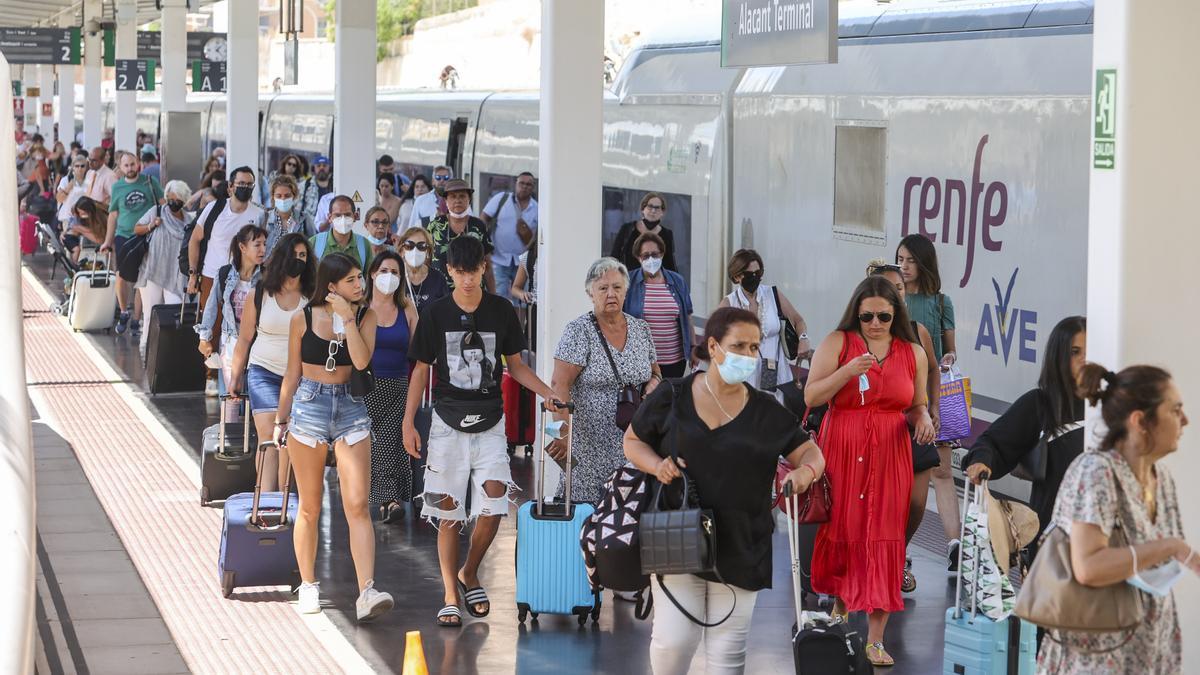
x: 227, y: 467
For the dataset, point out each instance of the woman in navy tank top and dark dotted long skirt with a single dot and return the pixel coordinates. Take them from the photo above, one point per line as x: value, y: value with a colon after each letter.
x: 392, y: 476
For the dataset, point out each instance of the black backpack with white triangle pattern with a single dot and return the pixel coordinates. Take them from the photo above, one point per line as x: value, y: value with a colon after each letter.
x: 611, y: 548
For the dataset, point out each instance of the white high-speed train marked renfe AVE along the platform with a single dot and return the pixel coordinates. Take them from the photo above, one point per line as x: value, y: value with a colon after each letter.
x: 967, y: 122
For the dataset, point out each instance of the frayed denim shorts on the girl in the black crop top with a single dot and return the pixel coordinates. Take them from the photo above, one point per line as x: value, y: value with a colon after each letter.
x: 327, y: 414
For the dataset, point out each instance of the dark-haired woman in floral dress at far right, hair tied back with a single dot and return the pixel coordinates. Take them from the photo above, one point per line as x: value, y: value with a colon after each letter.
x: 1124, y: 485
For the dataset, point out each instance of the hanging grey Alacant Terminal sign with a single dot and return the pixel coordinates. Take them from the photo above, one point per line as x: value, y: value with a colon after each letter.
x: 779, y: 33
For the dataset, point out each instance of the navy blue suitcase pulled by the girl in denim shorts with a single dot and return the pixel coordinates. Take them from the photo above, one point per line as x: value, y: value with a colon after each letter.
x: 256, y: 539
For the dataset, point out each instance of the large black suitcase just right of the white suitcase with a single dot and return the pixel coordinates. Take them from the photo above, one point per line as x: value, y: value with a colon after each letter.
x: 173, y: 360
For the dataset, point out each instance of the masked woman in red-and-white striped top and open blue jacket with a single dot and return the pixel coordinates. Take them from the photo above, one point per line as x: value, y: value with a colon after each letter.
x: 661, y: 297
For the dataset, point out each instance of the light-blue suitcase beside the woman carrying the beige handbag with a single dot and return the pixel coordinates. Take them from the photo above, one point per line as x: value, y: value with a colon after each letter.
x: 979, y: 646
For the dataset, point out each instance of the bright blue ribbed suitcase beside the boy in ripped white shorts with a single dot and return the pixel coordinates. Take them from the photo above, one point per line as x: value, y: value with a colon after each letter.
x: 551, y: 576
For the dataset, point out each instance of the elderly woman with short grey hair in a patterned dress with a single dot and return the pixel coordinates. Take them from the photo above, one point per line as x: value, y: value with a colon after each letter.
x: 586, y: 375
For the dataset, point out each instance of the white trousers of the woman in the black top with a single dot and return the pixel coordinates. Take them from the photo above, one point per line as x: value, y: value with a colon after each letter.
x: 675, y: 638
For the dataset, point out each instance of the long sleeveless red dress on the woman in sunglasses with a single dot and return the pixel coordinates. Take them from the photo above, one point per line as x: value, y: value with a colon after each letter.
x: 860, y: 554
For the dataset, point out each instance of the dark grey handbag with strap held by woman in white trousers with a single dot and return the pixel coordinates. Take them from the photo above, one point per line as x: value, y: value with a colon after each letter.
x: 680, y: 541
